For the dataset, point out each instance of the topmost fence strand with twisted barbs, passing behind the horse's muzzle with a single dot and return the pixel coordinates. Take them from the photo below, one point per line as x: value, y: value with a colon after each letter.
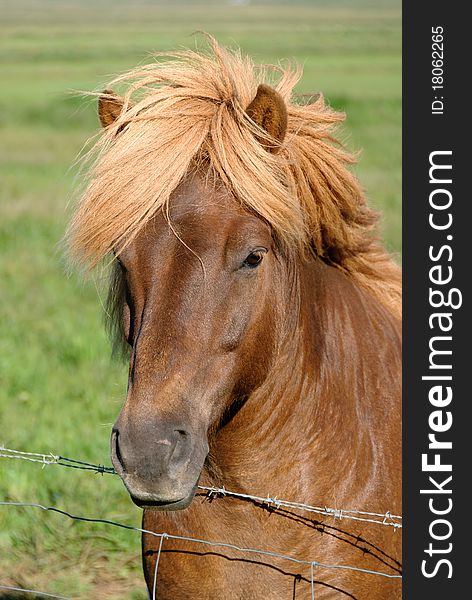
x: 385, y: 518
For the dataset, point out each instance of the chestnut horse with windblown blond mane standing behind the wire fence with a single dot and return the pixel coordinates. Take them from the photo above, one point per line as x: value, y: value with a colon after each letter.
x: 261, y: 318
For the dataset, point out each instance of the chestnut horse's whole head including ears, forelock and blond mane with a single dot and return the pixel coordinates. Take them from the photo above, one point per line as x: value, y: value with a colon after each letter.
x: 223, y: 201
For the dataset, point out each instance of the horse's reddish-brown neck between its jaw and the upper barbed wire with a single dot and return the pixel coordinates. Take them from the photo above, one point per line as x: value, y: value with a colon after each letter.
x: 317, y: 405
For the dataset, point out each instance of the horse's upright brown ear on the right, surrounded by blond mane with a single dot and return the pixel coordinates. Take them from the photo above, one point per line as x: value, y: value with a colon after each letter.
x: 268, y: 110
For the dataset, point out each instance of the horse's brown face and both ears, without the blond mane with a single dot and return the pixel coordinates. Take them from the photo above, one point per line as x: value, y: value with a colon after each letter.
x: 199, y: 311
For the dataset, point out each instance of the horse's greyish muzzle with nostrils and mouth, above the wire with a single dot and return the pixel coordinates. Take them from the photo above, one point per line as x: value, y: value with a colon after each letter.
x: 161, y: 470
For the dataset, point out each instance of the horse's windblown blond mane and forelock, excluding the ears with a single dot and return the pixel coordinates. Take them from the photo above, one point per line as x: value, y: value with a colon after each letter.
x: 189, y: 108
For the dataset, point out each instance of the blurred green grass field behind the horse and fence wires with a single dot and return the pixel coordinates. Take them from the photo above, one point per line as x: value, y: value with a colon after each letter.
x: 59, y: 389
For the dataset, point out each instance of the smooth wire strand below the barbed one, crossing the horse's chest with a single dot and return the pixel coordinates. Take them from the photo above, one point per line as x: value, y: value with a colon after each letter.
x: 199, y: 541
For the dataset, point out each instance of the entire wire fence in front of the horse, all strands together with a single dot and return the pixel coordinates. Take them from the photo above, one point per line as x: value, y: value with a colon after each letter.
x: 380, y: 518
